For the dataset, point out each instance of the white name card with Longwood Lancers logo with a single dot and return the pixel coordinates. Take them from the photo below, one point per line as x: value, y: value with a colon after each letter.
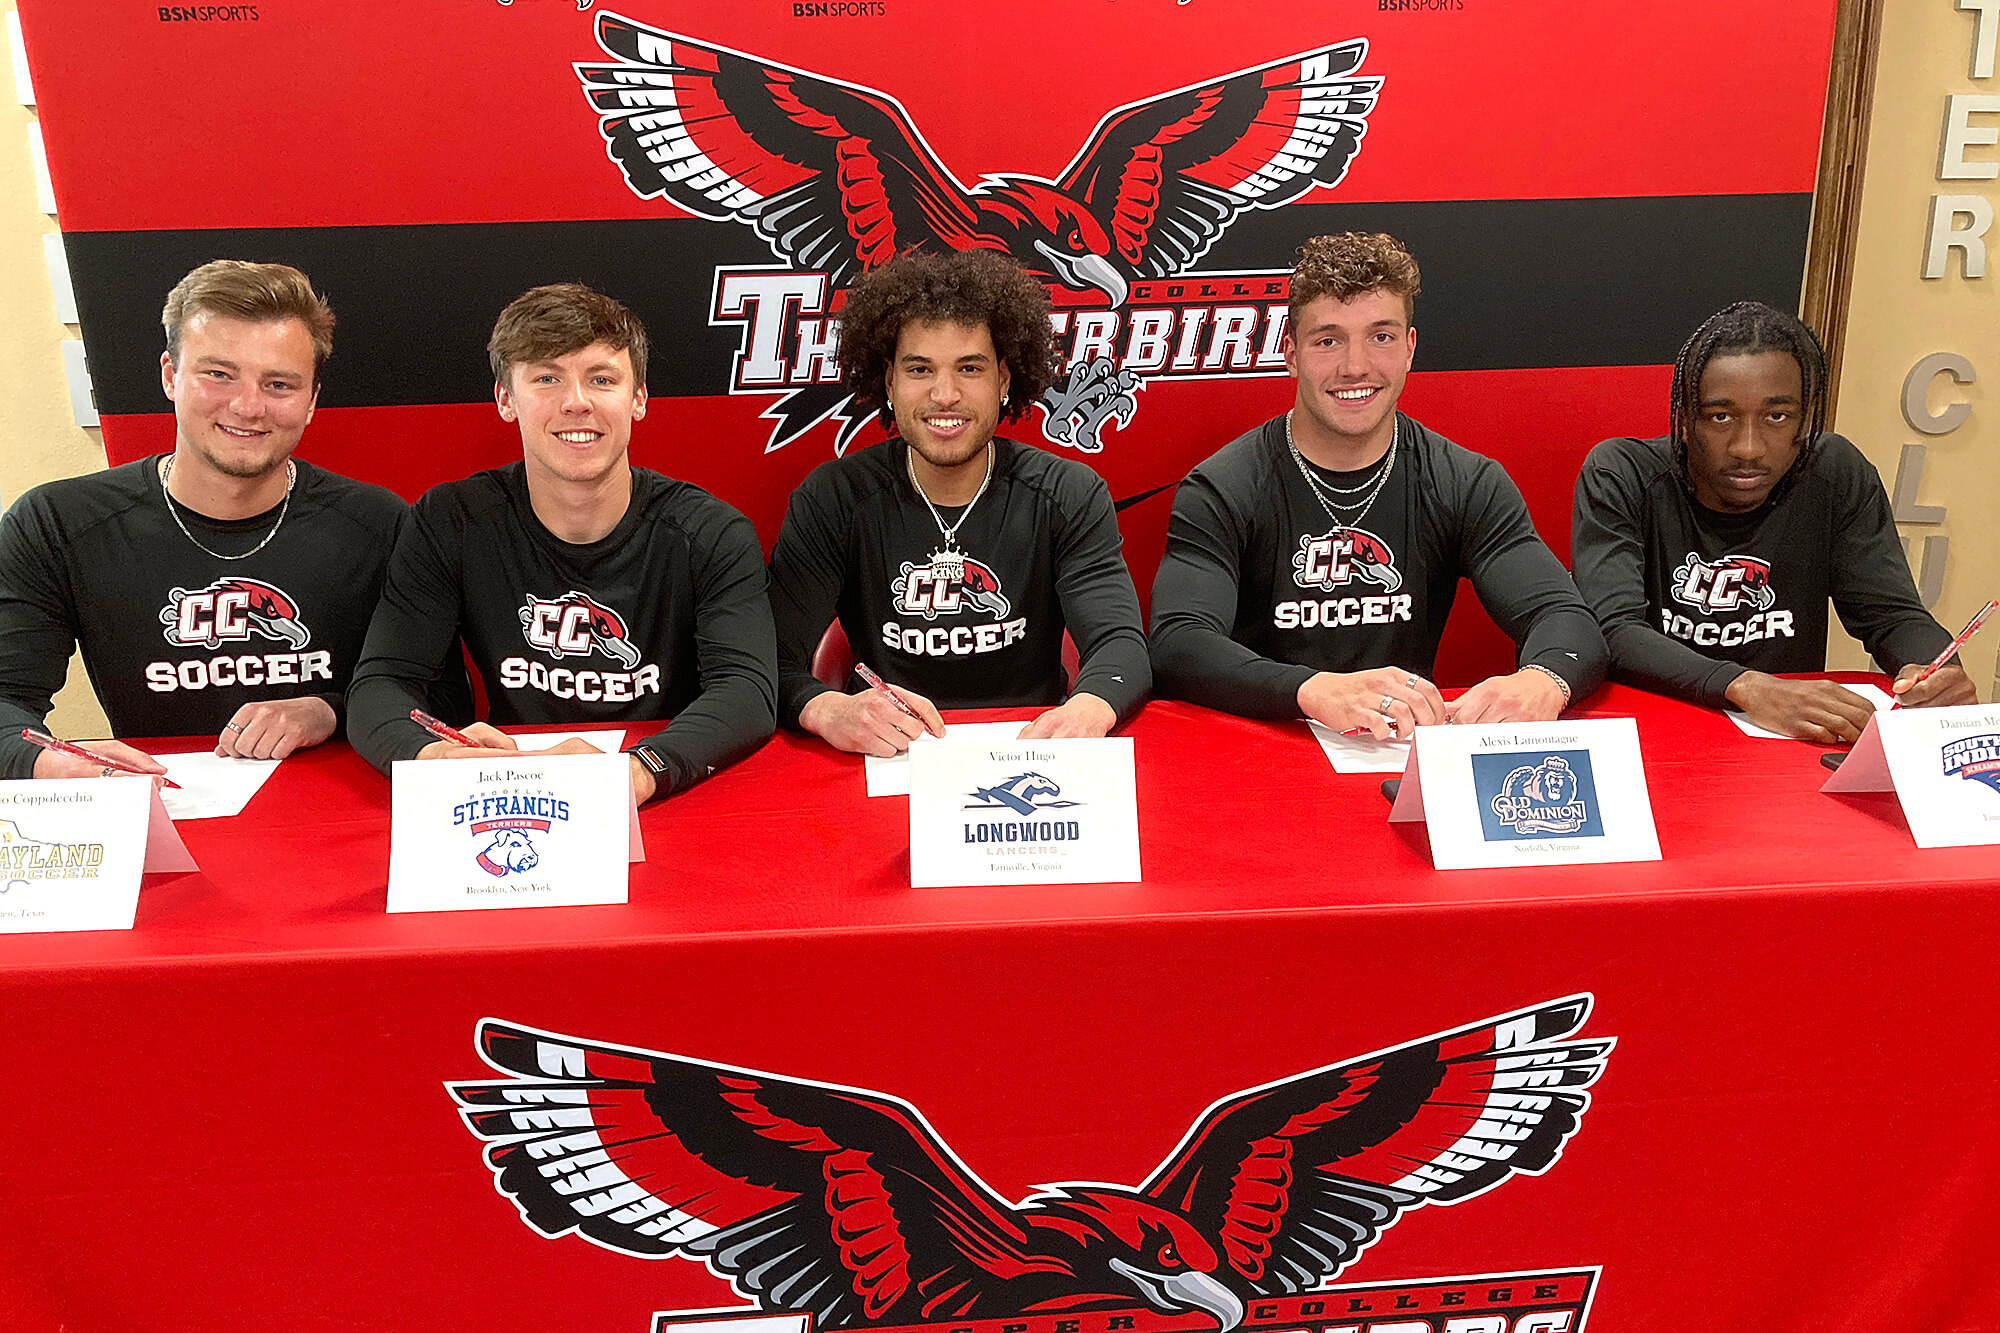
x: 1023, y: 814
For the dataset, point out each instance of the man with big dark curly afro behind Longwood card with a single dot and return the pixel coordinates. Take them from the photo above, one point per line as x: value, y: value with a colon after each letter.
x: 953, y: 557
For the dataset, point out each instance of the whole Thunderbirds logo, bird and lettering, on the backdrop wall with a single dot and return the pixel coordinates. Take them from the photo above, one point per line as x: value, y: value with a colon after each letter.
x: 839, y: 179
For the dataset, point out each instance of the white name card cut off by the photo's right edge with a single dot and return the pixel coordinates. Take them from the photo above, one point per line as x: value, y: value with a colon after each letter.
x: 1943, y: 766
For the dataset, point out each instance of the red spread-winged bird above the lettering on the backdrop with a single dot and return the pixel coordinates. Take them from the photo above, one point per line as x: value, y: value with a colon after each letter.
x: 837, y: 177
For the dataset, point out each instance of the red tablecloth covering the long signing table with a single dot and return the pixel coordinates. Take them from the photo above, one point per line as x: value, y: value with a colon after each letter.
x: 235, y: 1116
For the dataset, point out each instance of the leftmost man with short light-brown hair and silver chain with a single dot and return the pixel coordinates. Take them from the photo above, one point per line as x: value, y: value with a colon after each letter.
x: 221, y: 589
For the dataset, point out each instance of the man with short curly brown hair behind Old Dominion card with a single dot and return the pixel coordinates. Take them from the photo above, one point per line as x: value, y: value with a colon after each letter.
x: 1311, y: 563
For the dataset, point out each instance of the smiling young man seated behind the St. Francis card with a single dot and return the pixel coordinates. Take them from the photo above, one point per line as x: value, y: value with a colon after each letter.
x: 581, y: 587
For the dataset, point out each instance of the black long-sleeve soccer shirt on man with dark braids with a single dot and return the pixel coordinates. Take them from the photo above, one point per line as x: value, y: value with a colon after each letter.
x: 1691, y: 599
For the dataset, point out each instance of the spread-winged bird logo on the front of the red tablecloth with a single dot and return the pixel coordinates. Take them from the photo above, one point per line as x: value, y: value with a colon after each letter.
x: 845, y: 1208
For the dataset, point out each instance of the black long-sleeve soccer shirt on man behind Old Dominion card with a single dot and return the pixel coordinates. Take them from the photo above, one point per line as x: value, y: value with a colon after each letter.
x: 1261, y: 587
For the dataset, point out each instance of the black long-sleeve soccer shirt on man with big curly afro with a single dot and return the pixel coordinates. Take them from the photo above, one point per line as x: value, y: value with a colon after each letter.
x: 1041, y: 557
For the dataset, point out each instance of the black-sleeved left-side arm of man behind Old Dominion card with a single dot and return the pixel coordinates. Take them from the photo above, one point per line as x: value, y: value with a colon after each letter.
x: 1193, y: 611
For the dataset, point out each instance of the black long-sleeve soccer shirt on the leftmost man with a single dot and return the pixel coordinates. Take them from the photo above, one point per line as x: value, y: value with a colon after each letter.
x: 173, y: 637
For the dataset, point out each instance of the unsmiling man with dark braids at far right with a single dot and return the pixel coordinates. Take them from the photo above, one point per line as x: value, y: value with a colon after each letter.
x: 1711, y: 553
